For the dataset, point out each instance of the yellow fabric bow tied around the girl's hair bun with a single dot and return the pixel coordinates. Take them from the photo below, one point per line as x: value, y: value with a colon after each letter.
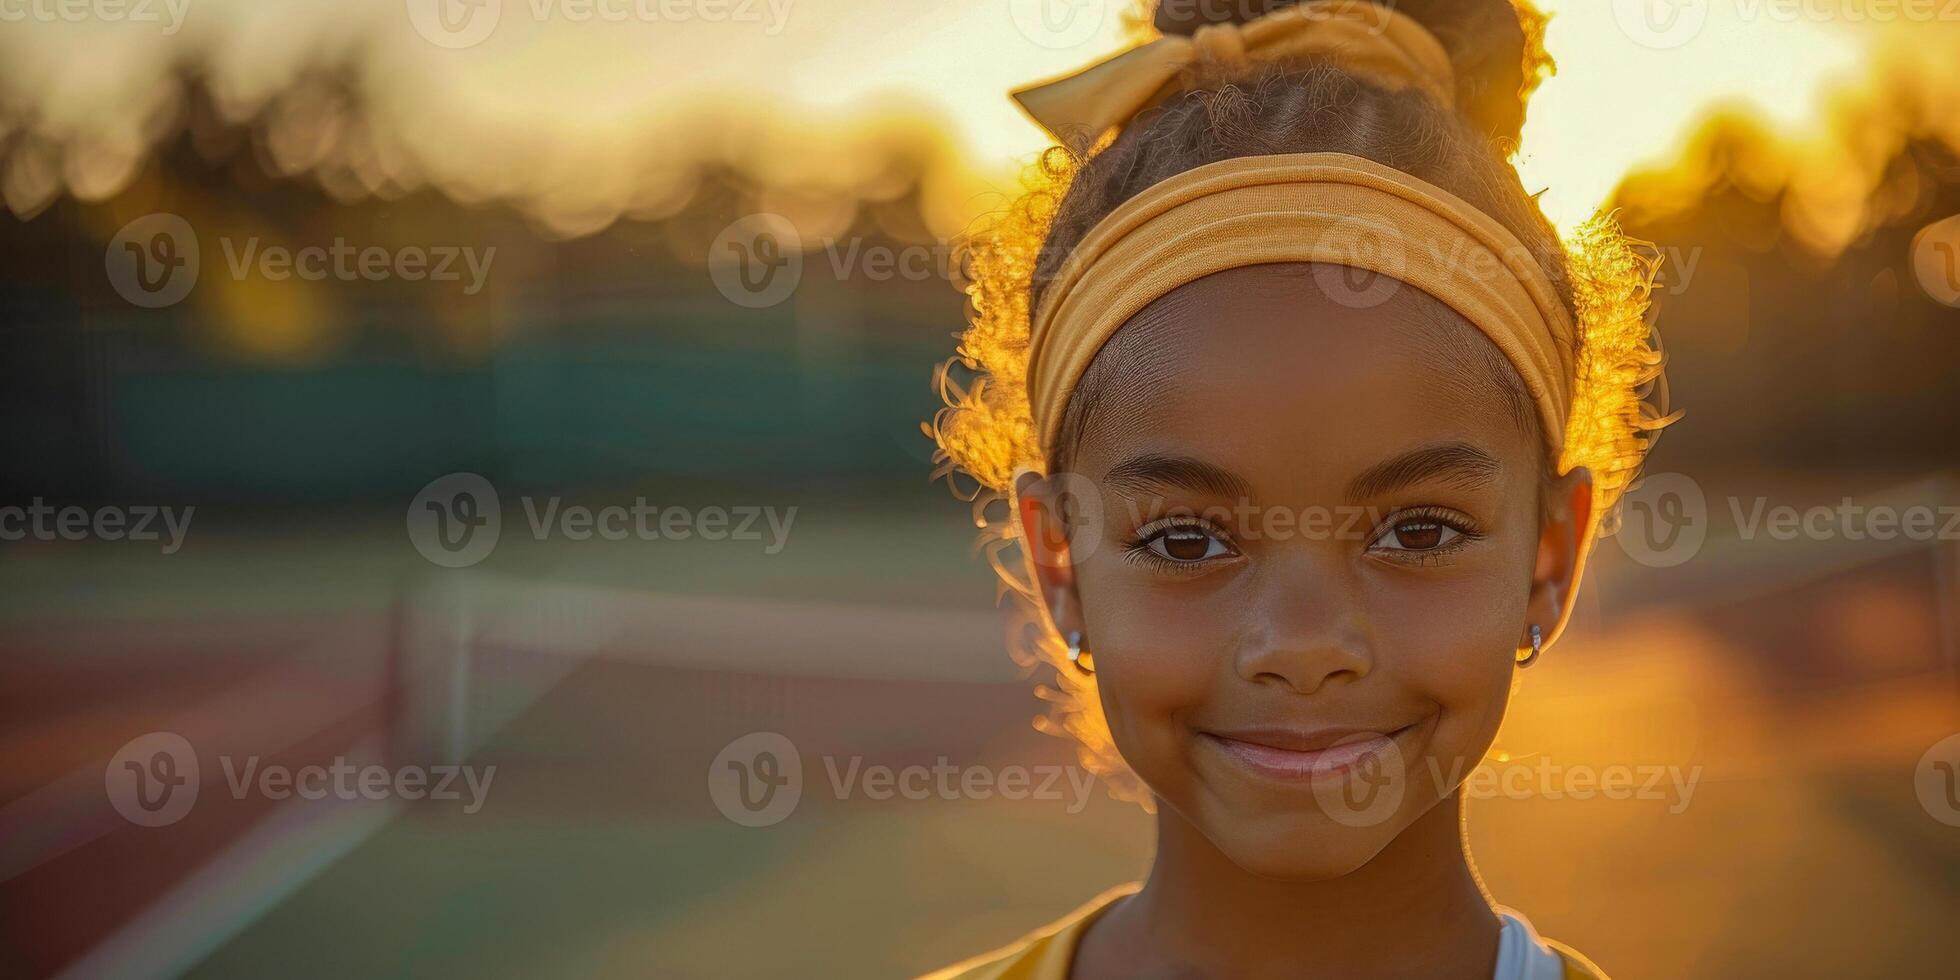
x: 1365, y: 38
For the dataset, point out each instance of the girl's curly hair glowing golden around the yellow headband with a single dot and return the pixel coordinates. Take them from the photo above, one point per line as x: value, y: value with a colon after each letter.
x: 987, y: 434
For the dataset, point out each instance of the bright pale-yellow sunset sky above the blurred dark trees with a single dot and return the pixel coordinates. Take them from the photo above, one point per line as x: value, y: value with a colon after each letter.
x: 569, y: 105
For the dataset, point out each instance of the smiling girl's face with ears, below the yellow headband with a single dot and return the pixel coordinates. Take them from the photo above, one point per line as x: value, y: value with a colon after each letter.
x: 1322, y: 540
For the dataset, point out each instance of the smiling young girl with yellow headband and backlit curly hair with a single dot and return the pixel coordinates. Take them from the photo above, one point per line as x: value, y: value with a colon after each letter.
x: 1306, y: 420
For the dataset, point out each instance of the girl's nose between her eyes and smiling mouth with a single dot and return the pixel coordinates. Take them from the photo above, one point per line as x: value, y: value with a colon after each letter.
x: 1306, y: 632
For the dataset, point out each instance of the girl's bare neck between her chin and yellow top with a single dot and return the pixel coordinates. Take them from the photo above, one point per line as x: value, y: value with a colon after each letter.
x: 1414, y: 910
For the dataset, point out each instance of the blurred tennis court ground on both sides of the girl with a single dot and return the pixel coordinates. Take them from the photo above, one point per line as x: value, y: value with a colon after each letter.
x: 605, y: 679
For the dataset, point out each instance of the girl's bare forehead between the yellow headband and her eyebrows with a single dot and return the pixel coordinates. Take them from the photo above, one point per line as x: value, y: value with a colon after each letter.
x: 1298, y: 377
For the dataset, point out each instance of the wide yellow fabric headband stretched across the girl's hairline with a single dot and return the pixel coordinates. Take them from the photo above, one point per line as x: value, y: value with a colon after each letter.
x: 1302, y: 209
